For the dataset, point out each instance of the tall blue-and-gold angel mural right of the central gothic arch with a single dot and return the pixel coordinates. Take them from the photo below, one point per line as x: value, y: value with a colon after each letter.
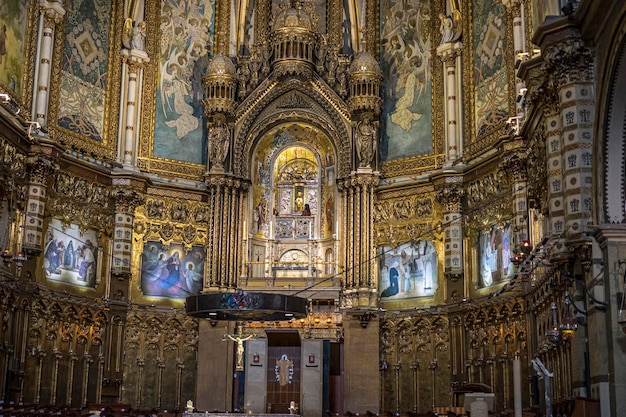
x: 406, y: 64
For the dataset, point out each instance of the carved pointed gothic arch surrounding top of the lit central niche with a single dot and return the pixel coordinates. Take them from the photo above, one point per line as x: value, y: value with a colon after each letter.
x: 310, y: 103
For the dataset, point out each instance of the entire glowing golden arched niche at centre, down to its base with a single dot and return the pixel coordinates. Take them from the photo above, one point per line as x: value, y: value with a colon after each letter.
x: 292, y: 206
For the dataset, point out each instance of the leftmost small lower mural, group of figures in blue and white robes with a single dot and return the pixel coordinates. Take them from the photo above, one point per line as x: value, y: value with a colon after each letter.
x: 71, y: 255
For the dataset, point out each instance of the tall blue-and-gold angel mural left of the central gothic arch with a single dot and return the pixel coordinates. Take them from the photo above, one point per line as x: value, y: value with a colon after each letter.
x: 186, y: 31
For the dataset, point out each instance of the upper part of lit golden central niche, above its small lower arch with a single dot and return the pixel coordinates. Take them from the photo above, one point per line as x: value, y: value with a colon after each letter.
x: 293, y: 165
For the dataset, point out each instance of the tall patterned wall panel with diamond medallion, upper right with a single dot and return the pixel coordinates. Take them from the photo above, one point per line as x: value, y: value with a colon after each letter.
x: 490, y: 76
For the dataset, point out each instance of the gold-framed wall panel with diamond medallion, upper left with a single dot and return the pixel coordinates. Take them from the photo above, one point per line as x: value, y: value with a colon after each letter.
x: 85, y: 79
